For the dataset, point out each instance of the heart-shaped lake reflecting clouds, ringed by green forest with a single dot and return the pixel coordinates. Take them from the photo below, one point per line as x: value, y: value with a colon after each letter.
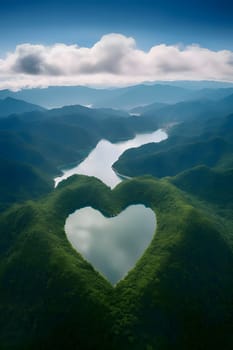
x: 112, y: 245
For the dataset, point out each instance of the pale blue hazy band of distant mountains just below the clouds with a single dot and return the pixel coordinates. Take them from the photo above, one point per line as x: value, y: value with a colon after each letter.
x: 122, y: 98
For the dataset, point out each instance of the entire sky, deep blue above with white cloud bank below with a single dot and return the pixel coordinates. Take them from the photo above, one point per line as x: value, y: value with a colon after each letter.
x: 114, y: 43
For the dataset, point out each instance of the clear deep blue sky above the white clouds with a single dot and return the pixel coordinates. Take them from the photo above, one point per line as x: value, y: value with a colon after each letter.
x: 208, y: 23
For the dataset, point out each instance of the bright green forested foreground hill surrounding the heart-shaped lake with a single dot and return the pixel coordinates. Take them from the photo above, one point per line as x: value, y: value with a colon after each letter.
x: 51, y: 297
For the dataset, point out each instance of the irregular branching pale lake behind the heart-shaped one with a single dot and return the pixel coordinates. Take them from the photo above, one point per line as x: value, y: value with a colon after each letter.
x: 99, y: 161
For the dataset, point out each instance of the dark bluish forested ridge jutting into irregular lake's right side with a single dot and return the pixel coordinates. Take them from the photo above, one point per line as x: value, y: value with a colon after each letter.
x: 147, y: 160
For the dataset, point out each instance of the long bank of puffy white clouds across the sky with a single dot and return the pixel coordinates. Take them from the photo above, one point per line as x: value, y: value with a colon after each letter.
x: 114, y: 60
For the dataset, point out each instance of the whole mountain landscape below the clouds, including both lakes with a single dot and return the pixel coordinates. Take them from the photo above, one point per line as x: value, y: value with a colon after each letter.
x: 174, y: 280
